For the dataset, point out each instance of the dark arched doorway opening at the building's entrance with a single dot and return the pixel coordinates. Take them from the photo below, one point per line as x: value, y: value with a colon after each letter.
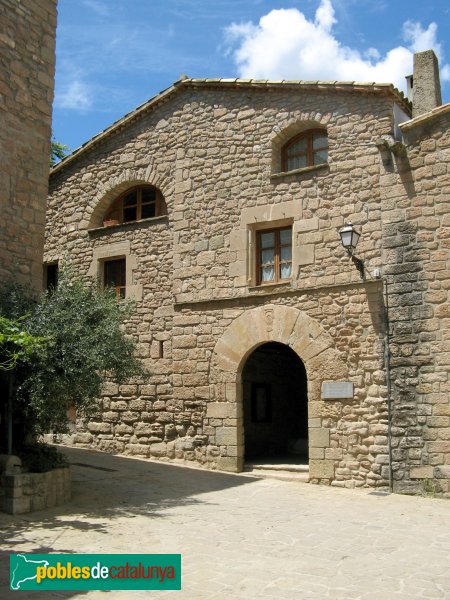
x: 275, y: 403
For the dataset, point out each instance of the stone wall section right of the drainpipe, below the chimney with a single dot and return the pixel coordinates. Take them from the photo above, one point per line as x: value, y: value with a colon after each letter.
x: 416, y: 234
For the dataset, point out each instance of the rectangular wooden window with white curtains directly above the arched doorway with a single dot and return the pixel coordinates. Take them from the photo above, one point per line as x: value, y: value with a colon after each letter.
x: 274, y: 255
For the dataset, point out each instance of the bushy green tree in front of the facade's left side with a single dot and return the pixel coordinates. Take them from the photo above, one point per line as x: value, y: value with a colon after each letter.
x: 82, y: 344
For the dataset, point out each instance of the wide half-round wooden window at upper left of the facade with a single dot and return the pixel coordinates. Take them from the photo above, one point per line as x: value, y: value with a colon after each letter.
x: 141, y: 202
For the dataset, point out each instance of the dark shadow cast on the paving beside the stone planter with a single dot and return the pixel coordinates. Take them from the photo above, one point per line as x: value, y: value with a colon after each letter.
x: 106, y: 487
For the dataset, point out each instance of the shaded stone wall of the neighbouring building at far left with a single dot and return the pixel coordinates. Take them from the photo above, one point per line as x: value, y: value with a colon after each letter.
x: 27, y: 49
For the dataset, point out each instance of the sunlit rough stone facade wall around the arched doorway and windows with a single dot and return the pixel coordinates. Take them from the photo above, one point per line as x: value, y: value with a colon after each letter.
x: 211, y: 152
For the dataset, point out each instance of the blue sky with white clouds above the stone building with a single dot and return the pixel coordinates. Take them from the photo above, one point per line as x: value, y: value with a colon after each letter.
x: 112, y: 55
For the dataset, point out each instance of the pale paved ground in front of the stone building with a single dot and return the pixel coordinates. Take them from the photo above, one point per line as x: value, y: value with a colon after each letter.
x: 240, y: 537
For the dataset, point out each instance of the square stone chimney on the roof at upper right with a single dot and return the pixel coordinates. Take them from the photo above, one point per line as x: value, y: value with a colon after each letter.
x: 425, y: 84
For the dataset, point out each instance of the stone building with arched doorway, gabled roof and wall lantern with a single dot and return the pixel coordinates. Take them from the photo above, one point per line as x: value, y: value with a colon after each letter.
x: 217, y: 207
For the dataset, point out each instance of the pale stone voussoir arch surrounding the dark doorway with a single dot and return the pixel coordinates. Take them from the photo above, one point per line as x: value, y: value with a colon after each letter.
x: 270, y: 323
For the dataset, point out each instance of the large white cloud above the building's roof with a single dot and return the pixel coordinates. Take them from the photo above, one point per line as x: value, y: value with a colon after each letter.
x: 285, y: 45
